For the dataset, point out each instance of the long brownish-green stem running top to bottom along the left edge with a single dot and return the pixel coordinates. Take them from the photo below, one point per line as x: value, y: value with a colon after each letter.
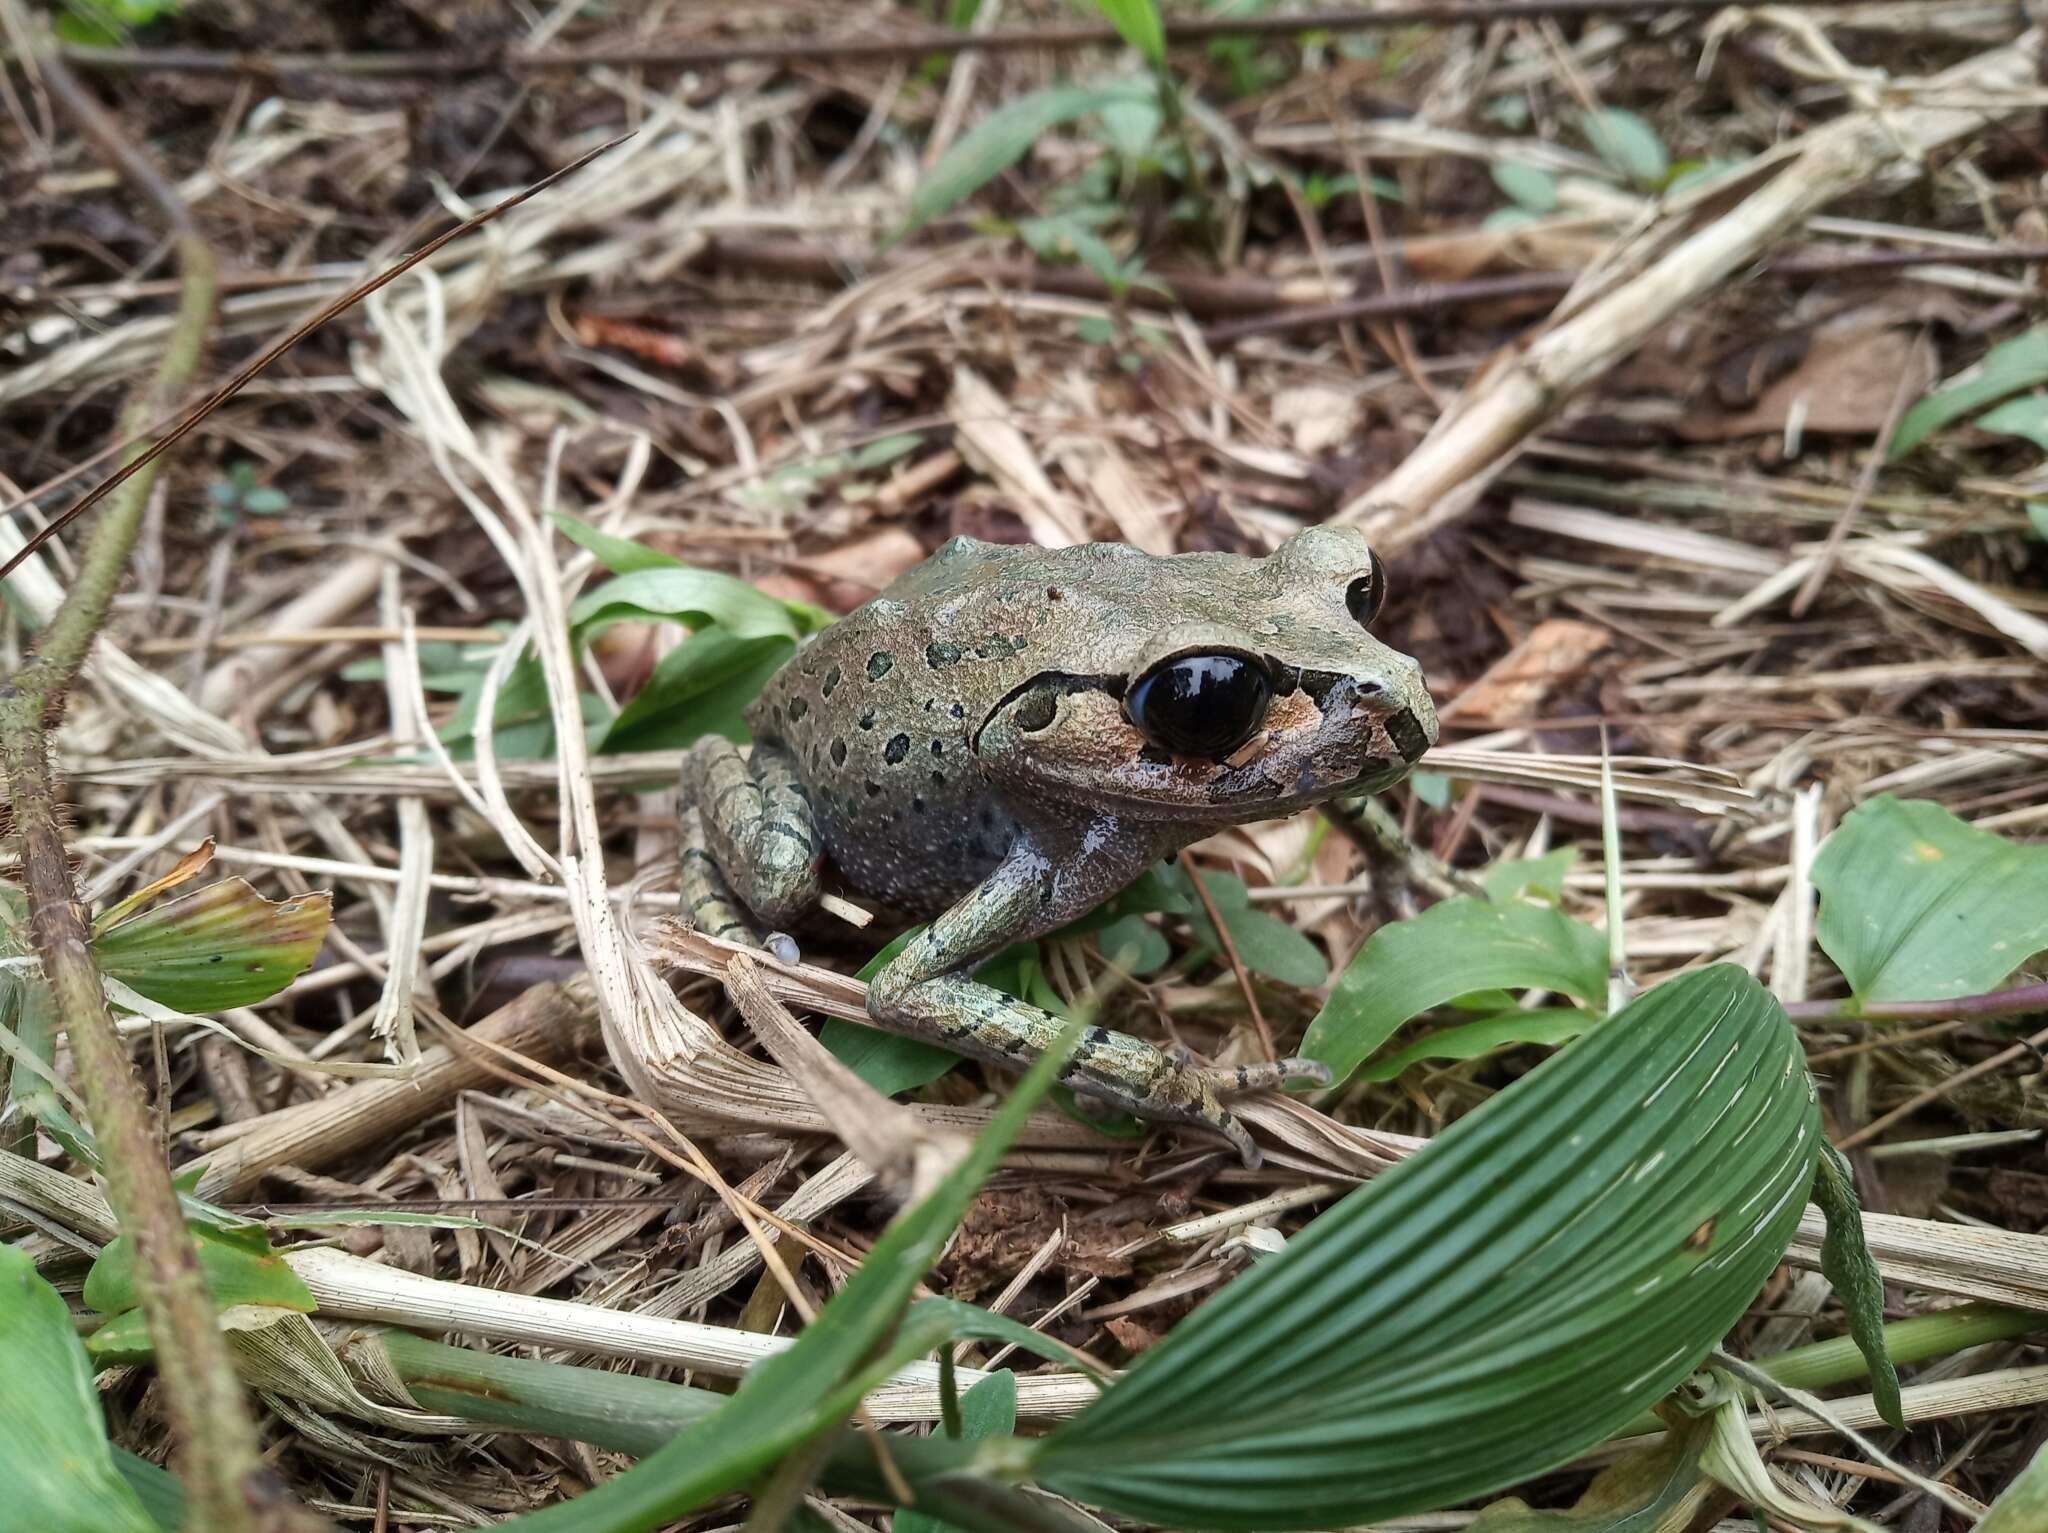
x: 232, y: 1489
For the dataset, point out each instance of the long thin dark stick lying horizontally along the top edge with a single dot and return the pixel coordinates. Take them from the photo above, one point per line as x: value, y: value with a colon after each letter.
x: 847, y: 50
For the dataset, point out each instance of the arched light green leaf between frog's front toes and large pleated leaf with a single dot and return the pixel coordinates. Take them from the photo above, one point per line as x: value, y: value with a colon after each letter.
x: 1451, y: 951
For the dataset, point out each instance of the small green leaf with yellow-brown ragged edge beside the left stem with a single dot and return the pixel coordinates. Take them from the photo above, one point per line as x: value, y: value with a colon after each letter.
x: 222, y: 947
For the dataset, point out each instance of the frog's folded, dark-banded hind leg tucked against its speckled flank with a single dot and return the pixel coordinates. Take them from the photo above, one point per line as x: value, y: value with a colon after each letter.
x: 757, y: 826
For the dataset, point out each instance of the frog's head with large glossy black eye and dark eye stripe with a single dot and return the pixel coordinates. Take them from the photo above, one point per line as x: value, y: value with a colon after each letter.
x: 1220, y: 689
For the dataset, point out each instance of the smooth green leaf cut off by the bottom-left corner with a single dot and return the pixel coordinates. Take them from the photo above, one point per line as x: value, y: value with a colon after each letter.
x: 54, y: 1456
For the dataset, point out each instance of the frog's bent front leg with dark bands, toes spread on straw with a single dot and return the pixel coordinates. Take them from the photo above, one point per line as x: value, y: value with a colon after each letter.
x: 1046, y: 881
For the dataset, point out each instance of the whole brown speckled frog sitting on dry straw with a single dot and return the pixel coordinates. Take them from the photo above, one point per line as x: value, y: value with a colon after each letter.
x: 1011, y: 734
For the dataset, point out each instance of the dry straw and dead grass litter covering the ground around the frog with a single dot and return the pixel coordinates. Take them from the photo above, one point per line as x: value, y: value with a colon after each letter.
x: 1691, y: 554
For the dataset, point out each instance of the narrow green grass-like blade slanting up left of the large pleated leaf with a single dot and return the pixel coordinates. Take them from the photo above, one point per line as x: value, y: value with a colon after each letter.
x: 814, y: 1387
